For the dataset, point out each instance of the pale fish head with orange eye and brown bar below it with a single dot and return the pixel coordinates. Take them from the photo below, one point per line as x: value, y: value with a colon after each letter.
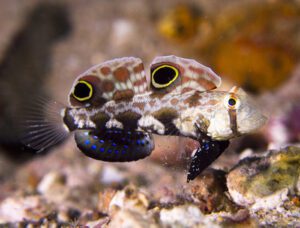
x: 236, y: 114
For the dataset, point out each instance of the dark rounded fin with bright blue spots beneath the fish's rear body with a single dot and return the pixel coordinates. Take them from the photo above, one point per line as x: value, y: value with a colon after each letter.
x: 115, y: 145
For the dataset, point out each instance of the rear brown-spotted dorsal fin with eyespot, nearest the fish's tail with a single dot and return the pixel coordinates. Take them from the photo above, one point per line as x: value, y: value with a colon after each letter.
x: 117, y: 79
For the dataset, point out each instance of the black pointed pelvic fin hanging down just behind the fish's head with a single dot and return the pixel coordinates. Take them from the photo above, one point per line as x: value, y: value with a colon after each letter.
x: 206, y: 154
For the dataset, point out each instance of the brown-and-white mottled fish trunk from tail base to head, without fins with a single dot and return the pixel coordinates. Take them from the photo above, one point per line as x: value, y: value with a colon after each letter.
x: 171, y: 114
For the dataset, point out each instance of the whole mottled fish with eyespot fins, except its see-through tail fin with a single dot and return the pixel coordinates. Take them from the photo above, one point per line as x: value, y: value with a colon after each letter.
x: 114, y: 110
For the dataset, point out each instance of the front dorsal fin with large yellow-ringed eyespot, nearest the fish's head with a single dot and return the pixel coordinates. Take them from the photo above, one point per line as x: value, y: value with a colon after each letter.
x: 175, y: 74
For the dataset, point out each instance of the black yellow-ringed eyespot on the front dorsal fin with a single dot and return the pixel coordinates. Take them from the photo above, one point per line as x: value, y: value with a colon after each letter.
x: 163, y: 76
